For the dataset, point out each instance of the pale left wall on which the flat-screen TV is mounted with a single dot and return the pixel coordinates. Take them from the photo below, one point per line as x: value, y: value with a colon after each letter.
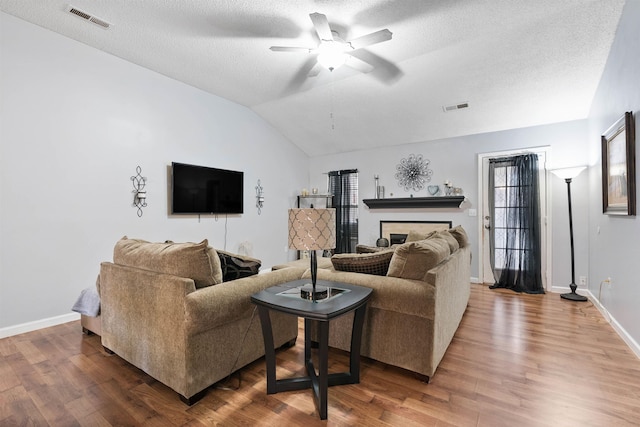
x: 75, y: 123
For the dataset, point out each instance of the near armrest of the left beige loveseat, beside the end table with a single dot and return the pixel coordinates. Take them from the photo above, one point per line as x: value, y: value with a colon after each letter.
x: 229, y: 301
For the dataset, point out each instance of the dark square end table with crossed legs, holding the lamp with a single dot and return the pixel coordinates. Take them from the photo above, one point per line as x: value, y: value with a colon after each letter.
x: 343, y: 298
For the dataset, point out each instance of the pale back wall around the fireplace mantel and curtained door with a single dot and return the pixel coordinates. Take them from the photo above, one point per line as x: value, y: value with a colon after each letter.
x: 455, y: 159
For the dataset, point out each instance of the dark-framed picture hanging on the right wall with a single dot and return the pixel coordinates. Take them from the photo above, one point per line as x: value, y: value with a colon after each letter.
x: 619, y: 168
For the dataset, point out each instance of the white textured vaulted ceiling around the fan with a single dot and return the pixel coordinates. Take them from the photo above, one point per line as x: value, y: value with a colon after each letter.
x: 517, y: 63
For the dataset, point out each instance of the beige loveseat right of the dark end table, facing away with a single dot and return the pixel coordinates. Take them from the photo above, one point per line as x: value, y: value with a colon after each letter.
x: 416, y: 305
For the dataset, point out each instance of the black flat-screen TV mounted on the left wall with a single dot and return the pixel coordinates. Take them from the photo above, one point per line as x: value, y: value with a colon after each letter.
x: 204, y: 190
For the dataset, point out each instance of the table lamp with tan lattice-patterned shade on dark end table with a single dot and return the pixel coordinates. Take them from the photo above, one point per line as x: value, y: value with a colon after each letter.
x: 312, y: 229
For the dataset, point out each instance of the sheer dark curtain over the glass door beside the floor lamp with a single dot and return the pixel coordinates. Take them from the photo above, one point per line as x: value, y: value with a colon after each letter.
x: 514, y: 200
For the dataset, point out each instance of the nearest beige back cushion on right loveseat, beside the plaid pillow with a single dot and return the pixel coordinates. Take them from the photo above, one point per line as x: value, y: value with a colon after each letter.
x: 413, y: 260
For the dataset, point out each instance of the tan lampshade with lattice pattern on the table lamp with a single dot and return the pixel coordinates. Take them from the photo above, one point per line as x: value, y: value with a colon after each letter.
x: 312, y: 229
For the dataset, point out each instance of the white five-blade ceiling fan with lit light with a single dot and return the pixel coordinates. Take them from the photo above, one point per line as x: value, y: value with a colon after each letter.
x: 333, y: 51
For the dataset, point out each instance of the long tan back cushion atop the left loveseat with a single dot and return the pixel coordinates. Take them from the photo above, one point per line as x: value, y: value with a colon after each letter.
x: 196, y: 261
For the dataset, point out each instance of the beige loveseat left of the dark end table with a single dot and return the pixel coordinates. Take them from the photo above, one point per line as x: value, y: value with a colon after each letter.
x: 166, y: 309
